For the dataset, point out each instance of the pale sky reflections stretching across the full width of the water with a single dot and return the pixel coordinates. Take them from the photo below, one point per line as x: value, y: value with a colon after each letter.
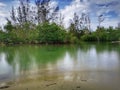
x: 89, y: 60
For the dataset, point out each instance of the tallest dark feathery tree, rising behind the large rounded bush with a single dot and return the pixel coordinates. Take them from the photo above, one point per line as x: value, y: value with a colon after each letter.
x: 45, y: 12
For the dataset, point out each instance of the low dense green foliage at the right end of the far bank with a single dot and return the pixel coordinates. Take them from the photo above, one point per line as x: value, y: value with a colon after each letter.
x: 103, y: 34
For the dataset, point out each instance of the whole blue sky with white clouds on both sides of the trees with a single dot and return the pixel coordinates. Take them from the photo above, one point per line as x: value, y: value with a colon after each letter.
x: 110, y: 9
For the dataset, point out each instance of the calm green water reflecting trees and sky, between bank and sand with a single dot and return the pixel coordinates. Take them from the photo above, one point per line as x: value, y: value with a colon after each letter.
x: 96, y: 63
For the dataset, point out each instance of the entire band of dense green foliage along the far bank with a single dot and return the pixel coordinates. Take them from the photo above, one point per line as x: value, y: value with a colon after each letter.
x: 53, y: 34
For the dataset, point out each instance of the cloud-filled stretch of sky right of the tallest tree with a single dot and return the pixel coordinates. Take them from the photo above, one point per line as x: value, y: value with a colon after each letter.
x: 90, y: 6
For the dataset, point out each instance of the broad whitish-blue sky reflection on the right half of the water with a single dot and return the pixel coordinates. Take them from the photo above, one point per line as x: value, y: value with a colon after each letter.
x: 90, y: 61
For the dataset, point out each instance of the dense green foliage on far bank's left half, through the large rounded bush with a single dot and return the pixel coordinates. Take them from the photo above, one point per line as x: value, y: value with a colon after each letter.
x: 43, y: 33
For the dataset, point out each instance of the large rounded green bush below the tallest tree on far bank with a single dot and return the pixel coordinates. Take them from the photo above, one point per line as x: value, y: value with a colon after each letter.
x: 51, y: 33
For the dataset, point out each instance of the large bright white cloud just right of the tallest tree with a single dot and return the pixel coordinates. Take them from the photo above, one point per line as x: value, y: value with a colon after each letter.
x: 75, y: 7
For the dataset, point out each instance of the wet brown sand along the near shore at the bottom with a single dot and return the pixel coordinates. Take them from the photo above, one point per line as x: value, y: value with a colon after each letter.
x: 59, y: 82
